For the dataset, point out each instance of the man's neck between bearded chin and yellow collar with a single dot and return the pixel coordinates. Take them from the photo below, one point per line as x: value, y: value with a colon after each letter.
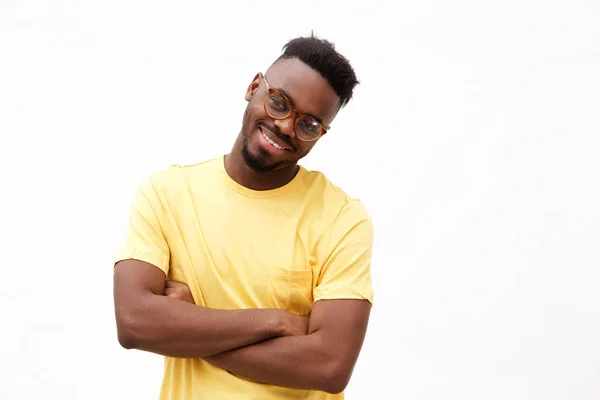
x: 238, y: 170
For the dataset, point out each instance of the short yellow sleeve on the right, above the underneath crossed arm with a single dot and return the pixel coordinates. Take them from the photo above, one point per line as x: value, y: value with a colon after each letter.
x: 346, y: 273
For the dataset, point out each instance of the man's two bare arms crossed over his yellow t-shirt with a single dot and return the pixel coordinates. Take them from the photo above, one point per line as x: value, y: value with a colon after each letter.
x: 265, y: 345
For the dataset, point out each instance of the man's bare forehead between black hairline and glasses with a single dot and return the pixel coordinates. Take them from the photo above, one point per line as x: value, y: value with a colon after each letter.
x: 307, y: 89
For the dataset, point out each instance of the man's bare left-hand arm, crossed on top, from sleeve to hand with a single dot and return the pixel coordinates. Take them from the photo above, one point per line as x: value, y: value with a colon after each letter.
x: 142, y: 312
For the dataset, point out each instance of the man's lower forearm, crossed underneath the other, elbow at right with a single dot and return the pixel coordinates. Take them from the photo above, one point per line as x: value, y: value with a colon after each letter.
x: 300, y: 362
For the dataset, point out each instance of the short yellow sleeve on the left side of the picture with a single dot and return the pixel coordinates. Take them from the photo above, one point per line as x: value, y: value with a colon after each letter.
x: 145, y: 239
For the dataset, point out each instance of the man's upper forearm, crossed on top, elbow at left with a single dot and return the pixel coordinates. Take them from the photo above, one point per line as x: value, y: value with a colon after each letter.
x: 175, y: 328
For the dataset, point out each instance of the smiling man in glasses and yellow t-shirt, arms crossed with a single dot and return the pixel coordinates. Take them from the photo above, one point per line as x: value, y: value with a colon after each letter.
x: 272, y: 261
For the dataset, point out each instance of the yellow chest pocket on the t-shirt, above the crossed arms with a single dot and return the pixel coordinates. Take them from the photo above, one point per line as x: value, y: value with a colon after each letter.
x: 293, y: 289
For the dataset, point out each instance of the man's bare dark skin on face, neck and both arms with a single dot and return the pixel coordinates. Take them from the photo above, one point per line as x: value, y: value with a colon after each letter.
x: 269, y: 346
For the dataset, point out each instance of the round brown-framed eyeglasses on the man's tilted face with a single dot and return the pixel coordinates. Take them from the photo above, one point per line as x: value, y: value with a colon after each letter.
x: 278, y: 106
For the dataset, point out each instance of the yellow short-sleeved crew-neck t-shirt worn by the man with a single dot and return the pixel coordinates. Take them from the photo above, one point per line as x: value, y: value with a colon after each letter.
x: 238, y: 248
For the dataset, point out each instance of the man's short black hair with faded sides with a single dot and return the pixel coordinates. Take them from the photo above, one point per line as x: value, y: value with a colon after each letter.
x: 320, y: 55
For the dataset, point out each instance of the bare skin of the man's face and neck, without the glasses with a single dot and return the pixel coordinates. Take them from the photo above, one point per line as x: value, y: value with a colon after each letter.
x: 310, y: 94
